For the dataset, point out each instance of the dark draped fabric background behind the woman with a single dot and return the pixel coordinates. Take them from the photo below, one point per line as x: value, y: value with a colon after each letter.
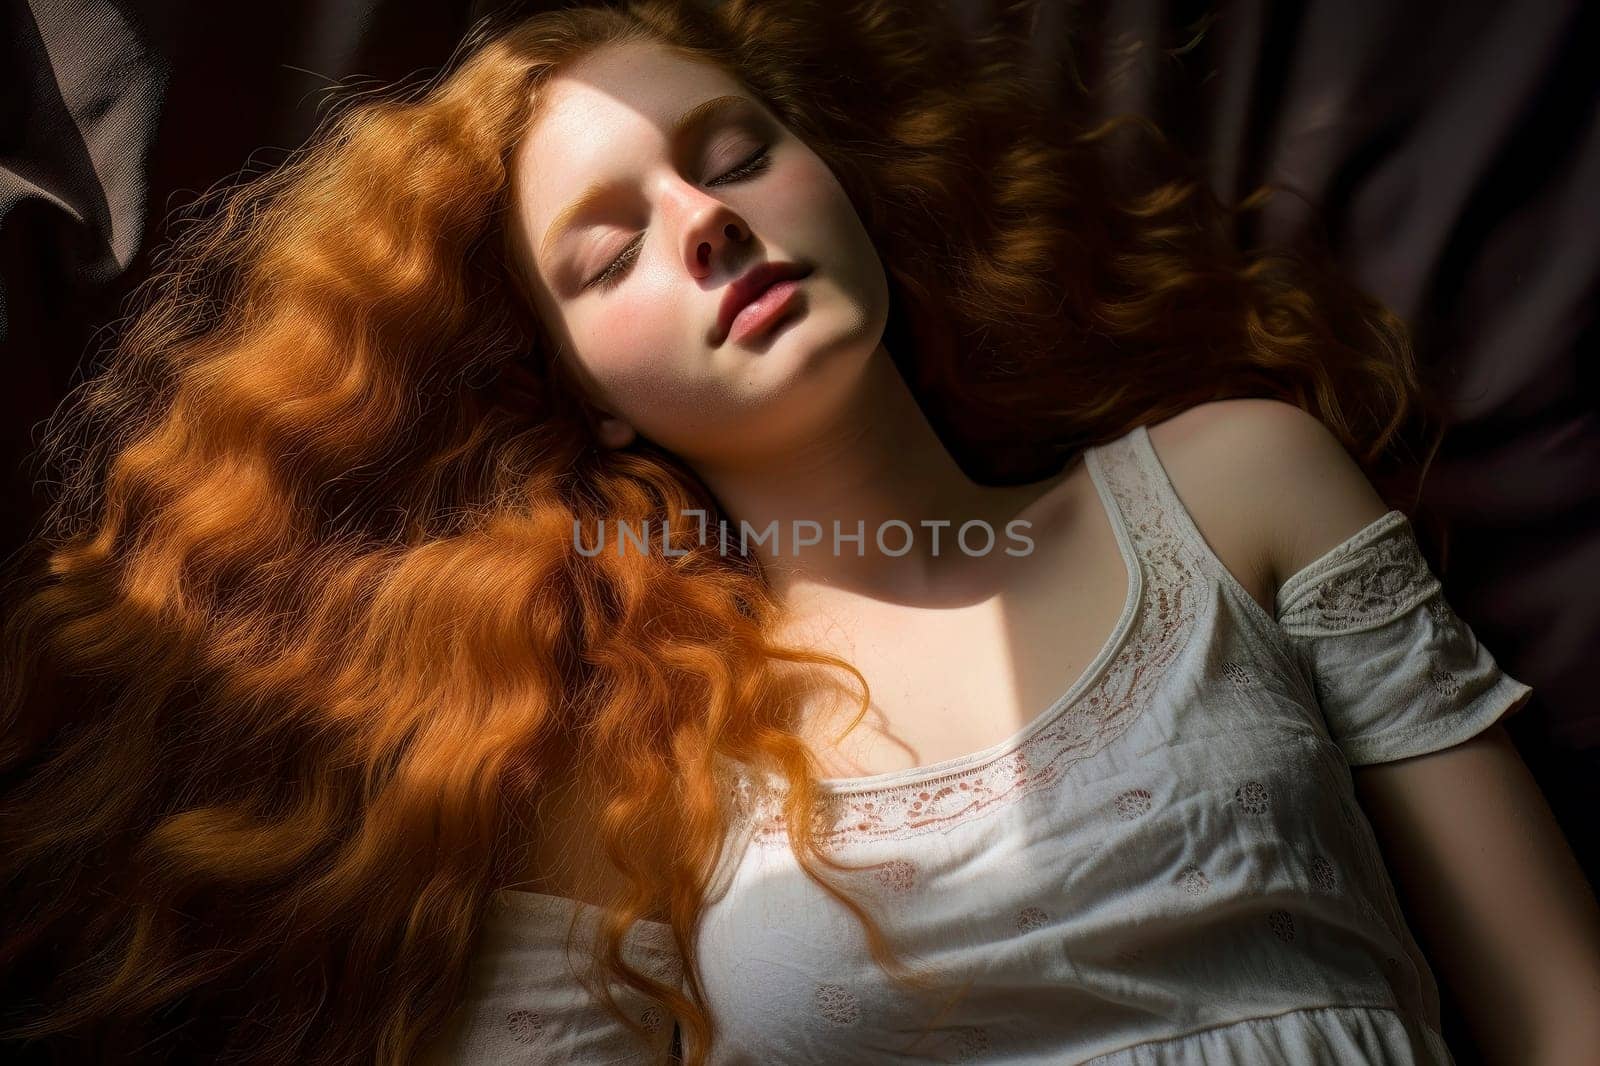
x: 1452, y: 150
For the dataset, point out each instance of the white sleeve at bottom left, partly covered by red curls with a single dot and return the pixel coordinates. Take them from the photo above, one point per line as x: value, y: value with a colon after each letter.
x: 526, y: 1003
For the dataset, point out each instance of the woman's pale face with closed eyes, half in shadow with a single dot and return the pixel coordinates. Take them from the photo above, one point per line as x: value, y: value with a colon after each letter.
x: 633, y: 284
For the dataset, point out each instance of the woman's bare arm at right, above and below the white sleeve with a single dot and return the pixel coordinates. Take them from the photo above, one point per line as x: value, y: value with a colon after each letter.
x: 1476, y: 854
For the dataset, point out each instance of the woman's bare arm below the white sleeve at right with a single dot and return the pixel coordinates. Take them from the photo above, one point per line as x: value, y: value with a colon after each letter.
x: 1495, y: 894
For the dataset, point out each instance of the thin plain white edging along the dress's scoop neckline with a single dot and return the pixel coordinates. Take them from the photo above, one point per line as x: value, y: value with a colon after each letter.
x: 937, y: 772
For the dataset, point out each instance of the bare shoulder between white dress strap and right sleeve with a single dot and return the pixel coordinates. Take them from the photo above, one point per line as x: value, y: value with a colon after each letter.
x: 1266, y: 479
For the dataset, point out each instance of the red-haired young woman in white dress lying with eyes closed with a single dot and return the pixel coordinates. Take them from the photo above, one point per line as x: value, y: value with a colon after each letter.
x: 337, y: 731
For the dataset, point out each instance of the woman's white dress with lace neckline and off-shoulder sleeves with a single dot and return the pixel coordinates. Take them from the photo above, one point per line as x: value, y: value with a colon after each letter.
x: 1166, y: 867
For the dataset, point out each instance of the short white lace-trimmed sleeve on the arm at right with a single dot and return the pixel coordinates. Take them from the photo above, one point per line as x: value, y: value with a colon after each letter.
x: 1396, y: 671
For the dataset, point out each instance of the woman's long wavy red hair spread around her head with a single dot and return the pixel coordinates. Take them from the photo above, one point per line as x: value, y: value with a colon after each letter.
x: 305, y: 638
